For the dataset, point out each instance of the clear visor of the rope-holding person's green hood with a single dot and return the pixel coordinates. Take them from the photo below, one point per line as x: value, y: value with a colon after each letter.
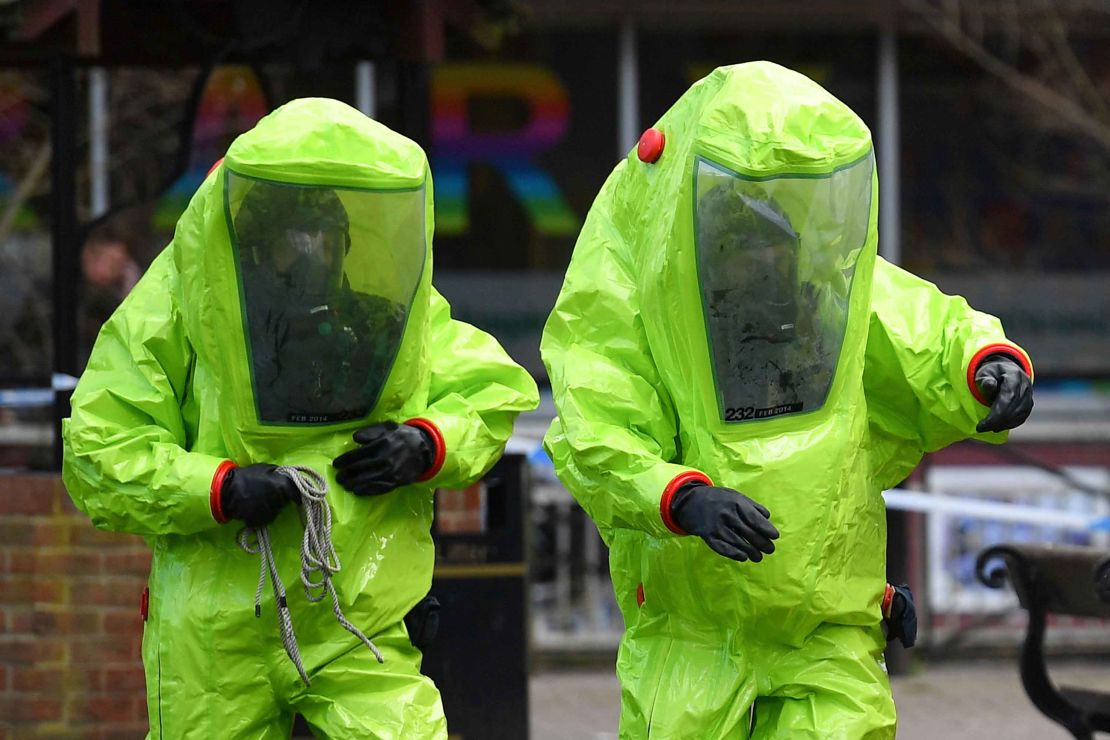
x: 328, y: 278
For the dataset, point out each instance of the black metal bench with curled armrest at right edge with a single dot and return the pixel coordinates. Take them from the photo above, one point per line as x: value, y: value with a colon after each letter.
x: 1064, y: 581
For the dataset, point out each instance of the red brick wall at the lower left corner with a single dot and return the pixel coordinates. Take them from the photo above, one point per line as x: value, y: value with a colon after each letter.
x: 70, y: 631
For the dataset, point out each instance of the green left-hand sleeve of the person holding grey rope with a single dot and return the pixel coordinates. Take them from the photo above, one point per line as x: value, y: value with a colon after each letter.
x: 126, y: 459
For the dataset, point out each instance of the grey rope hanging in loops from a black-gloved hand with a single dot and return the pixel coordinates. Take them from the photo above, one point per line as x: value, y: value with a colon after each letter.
x: 319, y: 563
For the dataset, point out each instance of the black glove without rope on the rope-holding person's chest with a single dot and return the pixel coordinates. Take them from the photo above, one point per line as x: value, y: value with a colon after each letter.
x: 390, y: 455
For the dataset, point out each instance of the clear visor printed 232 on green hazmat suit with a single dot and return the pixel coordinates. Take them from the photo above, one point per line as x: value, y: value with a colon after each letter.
x: 776, y: 260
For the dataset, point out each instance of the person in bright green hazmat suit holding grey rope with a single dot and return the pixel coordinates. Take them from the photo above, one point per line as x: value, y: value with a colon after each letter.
x: 294, y: 309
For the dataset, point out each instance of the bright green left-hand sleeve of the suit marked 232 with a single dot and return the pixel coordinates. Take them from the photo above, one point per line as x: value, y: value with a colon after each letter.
x: 614, y: 439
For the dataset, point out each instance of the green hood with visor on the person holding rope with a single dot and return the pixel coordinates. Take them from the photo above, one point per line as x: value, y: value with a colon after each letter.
x: 306, y: 261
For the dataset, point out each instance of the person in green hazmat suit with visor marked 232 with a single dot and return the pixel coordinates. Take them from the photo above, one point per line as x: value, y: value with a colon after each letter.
x: 731, y: 360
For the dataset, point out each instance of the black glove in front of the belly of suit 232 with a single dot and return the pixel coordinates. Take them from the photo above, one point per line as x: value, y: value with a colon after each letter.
x: 730, y: 523
